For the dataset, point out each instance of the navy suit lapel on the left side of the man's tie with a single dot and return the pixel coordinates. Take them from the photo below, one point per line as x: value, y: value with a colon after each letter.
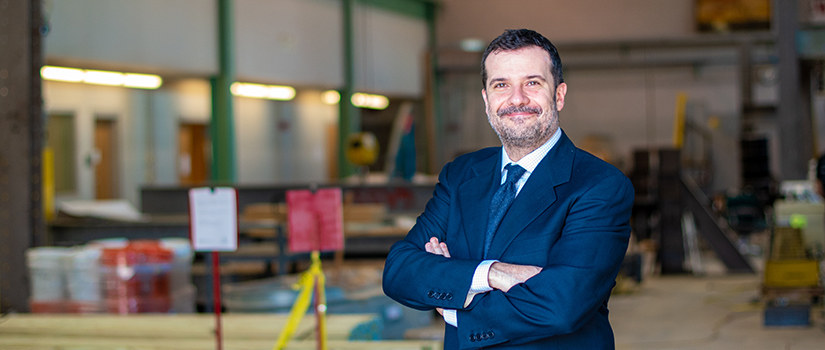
x: 474, y: 200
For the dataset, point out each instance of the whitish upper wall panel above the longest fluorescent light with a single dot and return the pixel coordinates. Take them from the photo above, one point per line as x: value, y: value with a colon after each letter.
x: 150, y: 35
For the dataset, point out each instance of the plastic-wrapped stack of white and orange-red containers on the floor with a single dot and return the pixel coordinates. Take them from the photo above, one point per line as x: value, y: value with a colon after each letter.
x: 113, y: 276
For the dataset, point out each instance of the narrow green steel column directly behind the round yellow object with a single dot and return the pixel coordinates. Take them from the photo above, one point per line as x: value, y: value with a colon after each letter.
x: 349, y: 120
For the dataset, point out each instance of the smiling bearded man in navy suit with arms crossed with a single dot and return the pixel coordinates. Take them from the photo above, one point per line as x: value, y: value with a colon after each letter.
x: 541, y: 275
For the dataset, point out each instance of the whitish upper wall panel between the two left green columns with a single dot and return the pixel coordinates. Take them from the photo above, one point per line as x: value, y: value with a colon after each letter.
x: 289, y: 41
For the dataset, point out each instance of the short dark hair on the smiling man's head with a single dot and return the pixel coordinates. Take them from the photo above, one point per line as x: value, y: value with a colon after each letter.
x: 514, y: 39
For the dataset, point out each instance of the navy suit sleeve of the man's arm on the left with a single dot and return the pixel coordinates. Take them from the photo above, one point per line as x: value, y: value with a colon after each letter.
x: 422, y: 280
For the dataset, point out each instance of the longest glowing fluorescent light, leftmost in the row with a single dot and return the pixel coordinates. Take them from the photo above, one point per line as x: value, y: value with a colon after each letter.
x: 101, y: 77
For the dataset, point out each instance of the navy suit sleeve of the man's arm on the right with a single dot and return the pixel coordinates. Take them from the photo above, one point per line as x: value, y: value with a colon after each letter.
x: 575, y: 283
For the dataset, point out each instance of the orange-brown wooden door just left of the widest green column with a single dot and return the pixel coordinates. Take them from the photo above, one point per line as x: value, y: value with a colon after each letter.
x: 193, y: 153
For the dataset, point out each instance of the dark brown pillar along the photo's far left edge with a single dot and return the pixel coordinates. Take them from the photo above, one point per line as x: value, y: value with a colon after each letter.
x: 21, y: 138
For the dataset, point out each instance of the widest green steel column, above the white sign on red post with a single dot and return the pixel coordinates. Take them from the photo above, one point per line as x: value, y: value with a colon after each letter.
x: 221, y: 128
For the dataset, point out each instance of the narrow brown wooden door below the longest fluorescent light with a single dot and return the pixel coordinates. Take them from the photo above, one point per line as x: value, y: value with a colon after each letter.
x: 105, y: 159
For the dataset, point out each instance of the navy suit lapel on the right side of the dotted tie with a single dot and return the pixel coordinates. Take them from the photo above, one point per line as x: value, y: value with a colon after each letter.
x: 537, y: 194
